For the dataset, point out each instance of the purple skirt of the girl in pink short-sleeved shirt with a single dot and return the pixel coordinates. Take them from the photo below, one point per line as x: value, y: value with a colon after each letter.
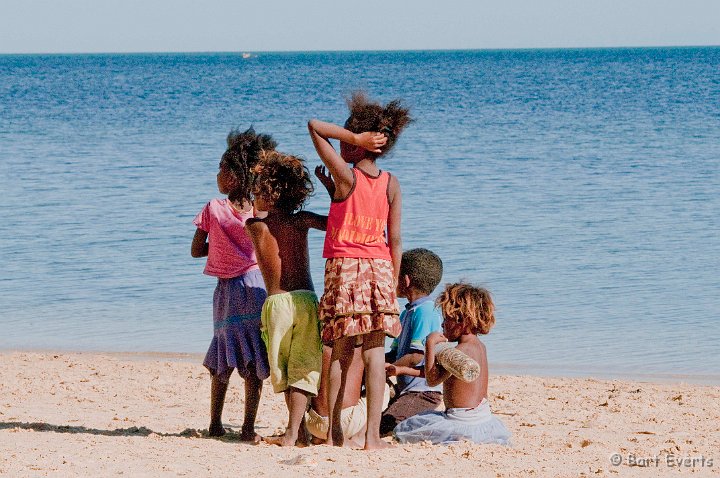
x: 236, y: 343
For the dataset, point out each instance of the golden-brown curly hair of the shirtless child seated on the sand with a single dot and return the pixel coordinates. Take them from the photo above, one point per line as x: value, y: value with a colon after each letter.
x: 468, y: 305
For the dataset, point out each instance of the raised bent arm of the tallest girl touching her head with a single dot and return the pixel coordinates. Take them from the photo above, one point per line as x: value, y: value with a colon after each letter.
x: 321, y: 133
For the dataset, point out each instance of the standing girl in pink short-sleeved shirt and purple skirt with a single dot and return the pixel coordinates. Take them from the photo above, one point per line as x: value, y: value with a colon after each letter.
x: 240, y: 292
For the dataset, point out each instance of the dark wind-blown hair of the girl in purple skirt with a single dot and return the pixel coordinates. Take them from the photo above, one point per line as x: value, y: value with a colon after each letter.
x: 242, y: 154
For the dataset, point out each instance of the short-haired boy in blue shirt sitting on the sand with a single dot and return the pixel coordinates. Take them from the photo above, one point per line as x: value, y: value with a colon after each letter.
x: 420, y: 273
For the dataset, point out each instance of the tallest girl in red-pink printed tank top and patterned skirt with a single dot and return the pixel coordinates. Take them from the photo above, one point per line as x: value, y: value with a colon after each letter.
x: 363, y: 251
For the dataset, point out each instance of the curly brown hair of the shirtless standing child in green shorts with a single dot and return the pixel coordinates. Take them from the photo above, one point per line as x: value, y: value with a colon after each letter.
x: 283, y: 180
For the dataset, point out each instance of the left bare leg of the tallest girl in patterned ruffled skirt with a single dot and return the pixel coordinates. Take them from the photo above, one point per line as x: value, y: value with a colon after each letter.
x: 340, y: 361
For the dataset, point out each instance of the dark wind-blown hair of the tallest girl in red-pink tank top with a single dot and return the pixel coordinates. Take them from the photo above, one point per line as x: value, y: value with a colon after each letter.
x: 367, y: 115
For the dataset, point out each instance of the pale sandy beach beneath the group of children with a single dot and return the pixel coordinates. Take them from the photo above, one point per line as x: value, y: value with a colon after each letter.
x: 88, y: 414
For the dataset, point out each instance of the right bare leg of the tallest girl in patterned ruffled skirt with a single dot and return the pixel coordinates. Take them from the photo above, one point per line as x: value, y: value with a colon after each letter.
x: 374, y: 358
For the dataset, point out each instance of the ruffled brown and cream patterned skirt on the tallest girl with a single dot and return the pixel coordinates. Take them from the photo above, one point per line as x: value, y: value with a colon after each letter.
x: 359, y: 298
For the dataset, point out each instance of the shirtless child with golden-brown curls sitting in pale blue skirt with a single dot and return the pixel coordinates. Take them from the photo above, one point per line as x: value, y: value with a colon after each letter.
x: 467, y: 311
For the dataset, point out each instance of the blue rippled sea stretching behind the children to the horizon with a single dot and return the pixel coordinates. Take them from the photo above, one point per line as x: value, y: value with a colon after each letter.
x: 581, y: 186
